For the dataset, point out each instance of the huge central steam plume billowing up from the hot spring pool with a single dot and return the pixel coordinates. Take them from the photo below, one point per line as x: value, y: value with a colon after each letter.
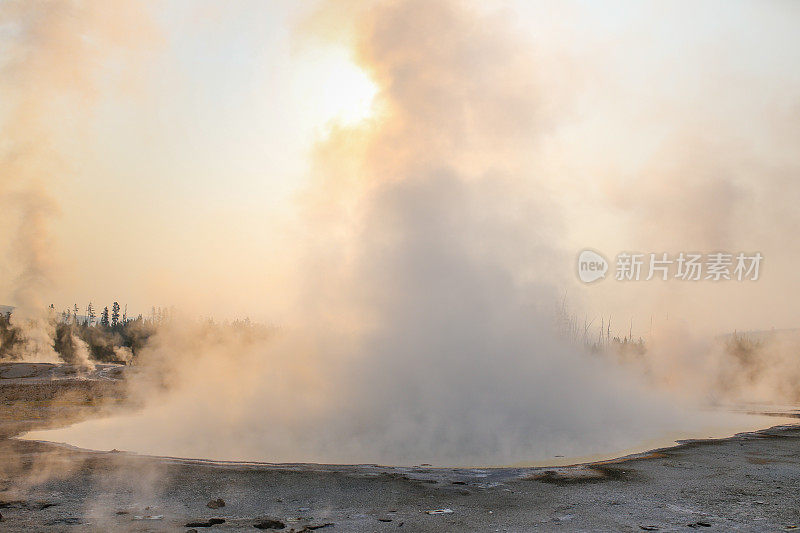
x: 421, y: 328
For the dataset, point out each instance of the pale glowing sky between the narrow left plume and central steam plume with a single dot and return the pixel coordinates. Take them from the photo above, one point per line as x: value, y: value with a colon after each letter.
x: 178, y: 180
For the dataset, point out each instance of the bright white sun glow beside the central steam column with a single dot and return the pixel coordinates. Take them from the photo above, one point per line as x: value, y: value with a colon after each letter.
x: 333, y: 89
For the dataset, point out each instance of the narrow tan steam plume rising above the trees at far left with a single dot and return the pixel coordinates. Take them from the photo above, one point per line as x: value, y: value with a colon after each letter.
x: 52, y: 58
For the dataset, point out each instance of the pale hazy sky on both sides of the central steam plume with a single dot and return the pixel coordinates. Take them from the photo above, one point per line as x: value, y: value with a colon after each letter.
x: 665, y: 127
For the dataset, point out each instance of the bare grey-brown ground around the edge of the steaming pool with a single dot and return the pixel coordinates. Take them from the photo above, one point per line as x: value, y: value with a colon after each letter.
x: 750, y: 482
